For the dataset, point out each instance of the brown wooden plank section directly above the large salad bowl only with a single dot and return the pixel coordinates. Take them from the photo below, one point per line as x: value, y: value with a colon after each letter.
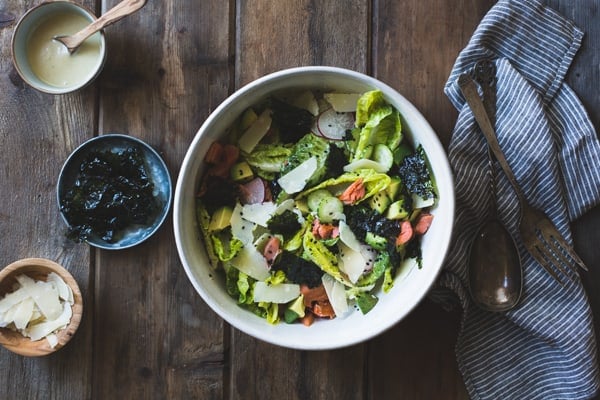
x: 306, y: 32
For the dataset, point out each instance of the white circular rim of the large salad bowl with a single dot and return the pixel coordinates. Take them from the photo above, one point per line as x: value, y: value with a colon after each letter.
x: 266, y: 334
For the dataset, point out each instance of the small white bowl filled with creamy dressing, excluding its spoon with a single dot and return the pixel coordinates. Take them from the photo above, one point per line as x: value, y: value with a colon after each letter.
x: 80, y: 68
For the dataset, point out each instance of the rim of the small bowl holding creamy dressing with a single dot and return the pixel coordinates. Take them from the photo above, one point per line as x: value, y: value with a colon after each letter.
x: 50, y: 89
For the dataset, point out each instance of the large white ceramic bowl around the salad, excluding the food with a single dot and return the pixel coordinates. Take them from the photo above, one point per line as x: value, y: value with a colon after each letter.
x: 392, y: 307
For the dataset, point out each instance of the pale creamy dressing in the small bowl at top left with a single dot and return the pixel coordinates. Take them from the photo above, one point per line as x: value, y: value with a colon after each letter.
x: 50, y: 60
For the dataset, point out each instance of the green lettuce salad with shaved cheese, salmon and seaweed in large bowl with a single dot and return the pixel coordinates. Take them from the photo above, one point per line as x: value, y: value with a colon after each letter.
x: 314, y: 204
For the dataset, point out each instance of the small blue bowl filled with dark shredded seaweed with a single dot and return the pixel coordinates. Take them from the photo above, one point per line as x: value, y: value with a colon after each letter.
x: 113, y: 192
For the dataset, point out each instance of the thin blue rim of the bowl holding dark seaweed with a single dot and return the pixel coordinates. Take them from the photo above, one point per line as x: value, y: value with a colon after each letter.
x: 168, y: 187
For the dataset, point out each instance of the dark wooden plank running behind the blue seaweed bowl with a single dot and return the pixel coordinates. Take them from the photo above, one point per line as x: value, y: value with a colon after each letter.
x: 170, y: 65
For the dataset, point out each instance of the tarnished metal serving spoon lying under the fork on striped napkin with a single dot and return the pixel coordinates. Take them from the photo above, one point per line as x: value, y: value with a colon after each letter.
x: 495, y: 272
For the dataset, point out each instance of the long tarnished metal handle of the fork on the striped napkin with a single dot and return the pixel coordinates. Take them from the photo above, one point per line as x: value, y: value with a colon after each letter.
x: 469, y: 90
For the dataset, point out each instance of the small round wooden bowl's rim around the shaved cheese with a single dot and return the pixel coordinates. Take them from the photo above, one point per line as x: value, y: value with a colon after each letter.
x: 41, y: 347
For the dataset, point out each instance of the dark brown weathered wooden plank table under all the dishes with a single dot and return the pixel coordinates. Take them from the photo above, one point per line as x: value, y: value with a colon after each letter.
x: 145, y: 333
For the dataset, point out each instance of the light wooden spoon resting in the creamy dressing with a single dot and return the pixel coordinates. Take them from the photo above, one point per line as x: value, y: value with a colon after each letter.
x: 121, y: 10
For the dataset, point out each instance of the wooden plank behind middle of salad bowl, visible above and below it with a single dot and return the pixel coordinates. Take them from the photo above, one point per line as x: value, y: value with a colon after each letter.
x: 294, y: 34
